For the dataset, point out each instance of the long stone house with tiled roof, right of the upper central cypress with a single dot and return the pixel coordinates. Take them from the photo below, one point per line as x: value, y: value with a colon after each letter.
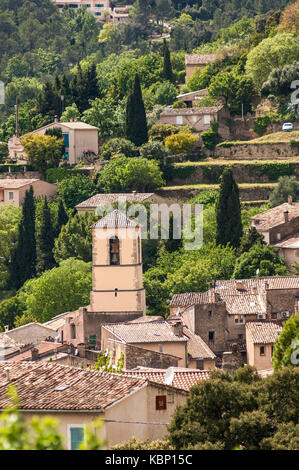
x: 199, y: 119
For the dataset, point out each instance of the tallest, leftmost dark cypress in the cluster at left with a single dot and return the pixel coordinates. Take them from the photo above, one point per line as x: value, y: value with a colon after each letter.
x: 24, y: 257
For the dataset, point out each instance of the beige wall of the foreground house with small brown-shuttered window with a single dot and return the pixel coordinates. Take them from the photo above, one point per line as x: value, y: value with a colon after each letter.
x: 124, y: 417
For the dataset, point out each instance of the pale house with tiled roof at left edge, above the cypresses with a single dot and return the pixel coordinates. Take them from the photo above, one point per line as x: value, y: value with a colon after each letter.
x: 12, y: 191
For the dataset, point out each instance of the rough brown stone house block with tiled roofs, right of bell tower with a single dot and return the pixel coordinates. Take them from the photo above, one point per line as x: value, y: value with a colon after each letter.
x: 219, y: 315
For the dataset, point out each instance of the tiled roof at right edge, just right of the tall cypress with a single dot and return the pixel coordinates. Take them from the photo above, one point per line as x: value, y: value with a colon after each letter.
x: 275, y: 216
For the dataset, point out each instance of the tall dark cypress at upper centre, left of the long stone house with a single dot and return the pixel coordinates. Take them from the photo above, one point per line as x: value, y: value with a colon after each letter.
x: 136, y: 126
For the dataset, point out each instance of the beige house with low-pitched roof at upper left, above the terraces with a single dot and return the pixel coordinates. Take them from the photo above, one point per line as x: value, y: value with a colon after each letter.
x: 79, y: 137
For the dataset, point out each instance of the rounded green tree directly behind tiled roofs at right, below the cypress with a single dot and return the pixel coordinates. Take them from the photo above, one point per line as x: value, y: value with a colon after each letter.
x: 260, y: 261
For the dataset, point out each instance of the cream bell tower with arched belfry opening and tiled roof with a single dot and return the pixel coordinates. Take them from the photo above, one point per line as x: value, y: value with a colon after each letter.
x: 117, y: 285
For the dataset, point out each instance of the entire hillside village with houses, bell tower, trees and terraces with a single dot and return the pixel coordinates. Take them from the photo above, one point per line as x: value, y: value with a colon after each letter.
x: 121, y: 331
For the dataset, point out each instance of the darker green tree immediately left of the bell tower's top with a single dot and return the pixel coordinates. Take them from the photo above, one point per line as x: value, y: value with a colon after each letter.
x: 74, y: 240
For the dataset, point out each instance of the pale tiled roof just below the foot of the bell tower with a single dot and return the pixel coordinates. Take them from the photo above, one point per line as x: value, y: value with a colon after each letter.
x: 155, y: 332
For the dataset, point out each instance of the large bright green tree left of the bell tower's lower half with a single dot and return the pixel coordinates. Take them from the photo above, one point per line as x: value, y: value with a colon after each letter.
x: 58, y: 290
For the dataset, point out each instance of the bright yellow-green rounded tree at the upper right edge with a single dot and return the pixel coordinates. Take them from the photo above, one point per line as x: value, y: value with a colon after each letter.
x: 272, y: 53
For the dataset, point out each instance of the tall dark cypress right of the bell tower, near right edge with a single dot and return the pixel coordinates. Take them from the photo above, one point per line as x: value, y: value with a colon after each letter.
x: 228, y: 212
